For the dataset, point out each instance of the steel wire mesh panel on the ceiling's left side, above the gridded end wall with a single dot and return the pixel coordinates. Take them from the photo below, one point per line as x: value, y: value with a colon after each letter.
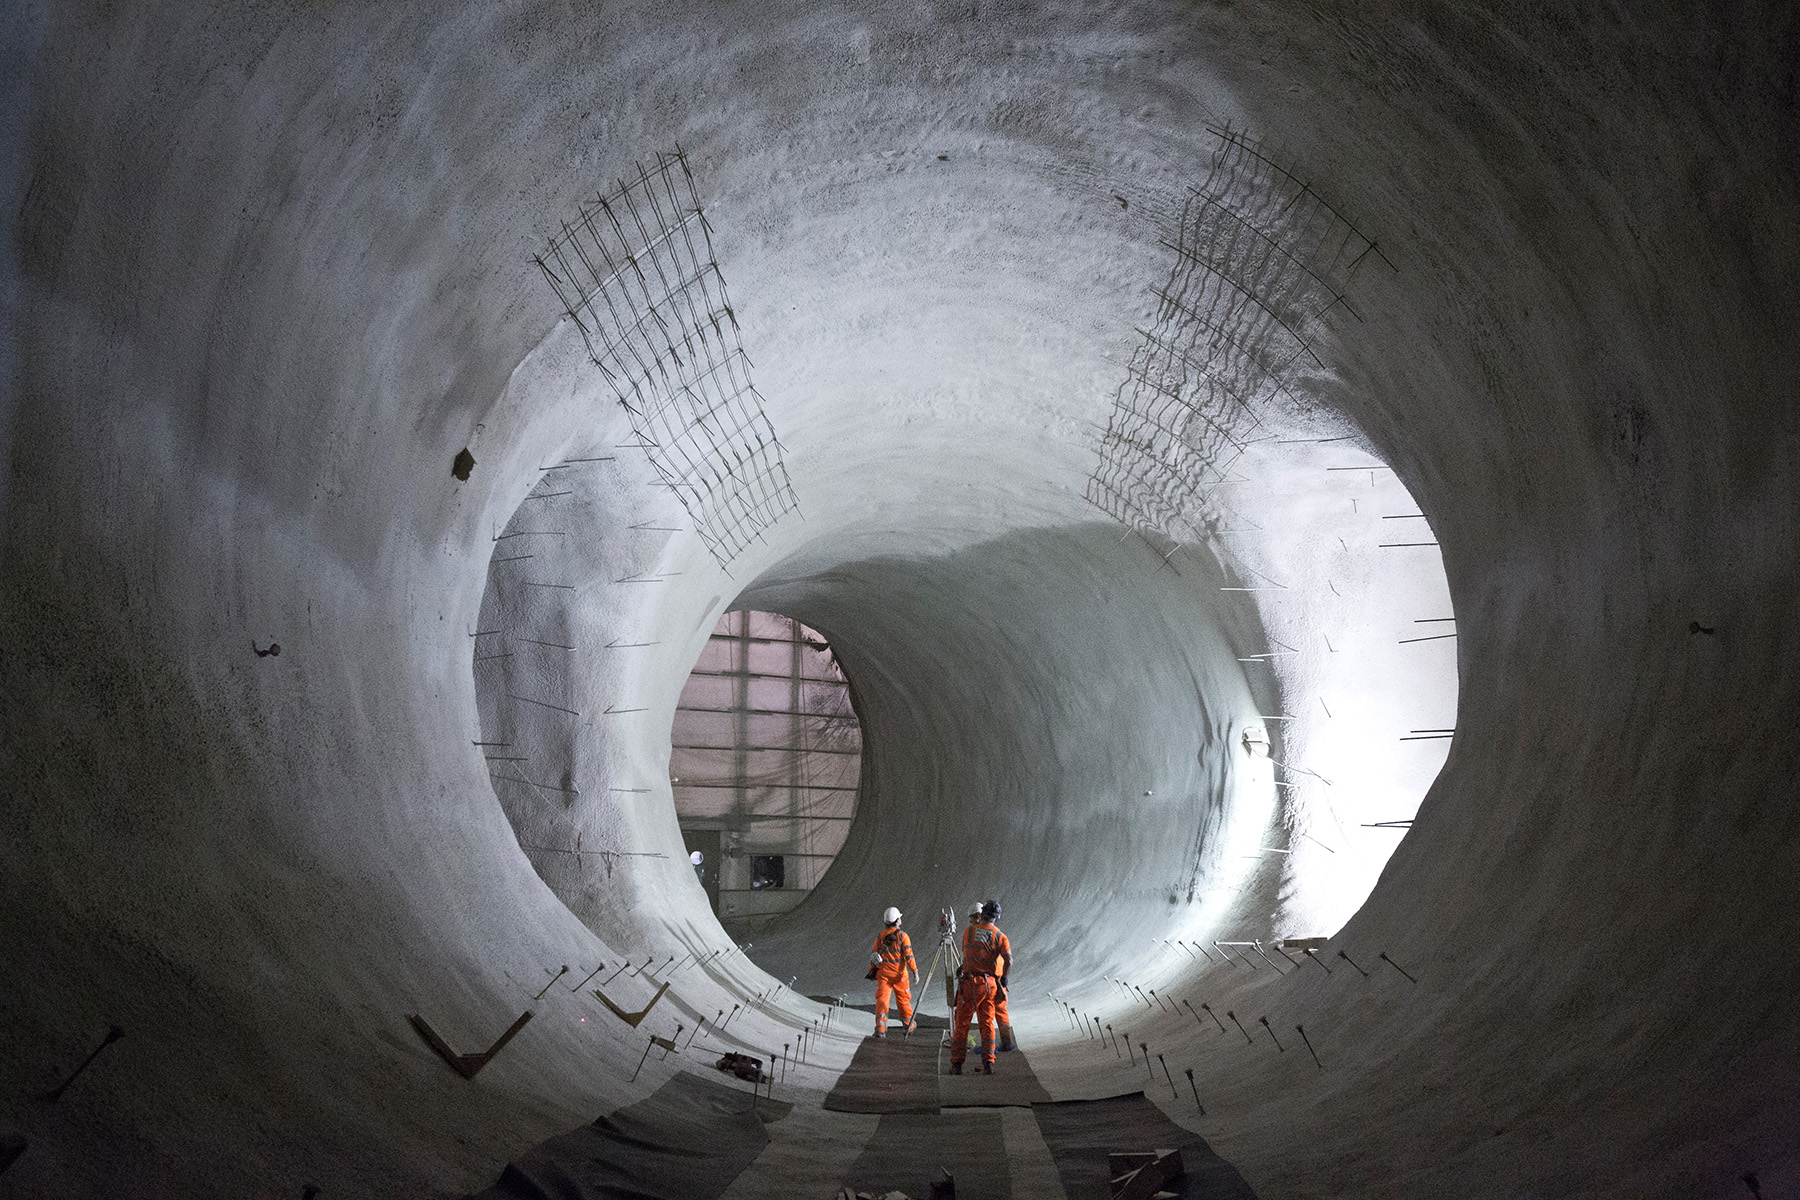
x: 636, y: 273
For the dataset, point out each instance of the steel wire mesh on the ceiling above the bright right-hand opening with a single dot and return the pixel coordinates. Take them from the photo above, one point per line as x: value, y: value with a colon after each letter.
x: 1261, y: 262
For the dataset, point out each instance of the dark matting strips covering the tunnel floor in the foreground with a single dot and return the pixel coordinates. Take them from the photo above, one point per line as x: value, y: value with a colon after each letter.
x: 894, y: 1120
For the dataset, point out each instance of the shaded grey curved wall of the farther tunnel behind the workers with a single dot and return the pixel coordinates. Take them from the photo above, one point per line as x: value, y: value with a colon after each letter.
x: 1050, y: 719
